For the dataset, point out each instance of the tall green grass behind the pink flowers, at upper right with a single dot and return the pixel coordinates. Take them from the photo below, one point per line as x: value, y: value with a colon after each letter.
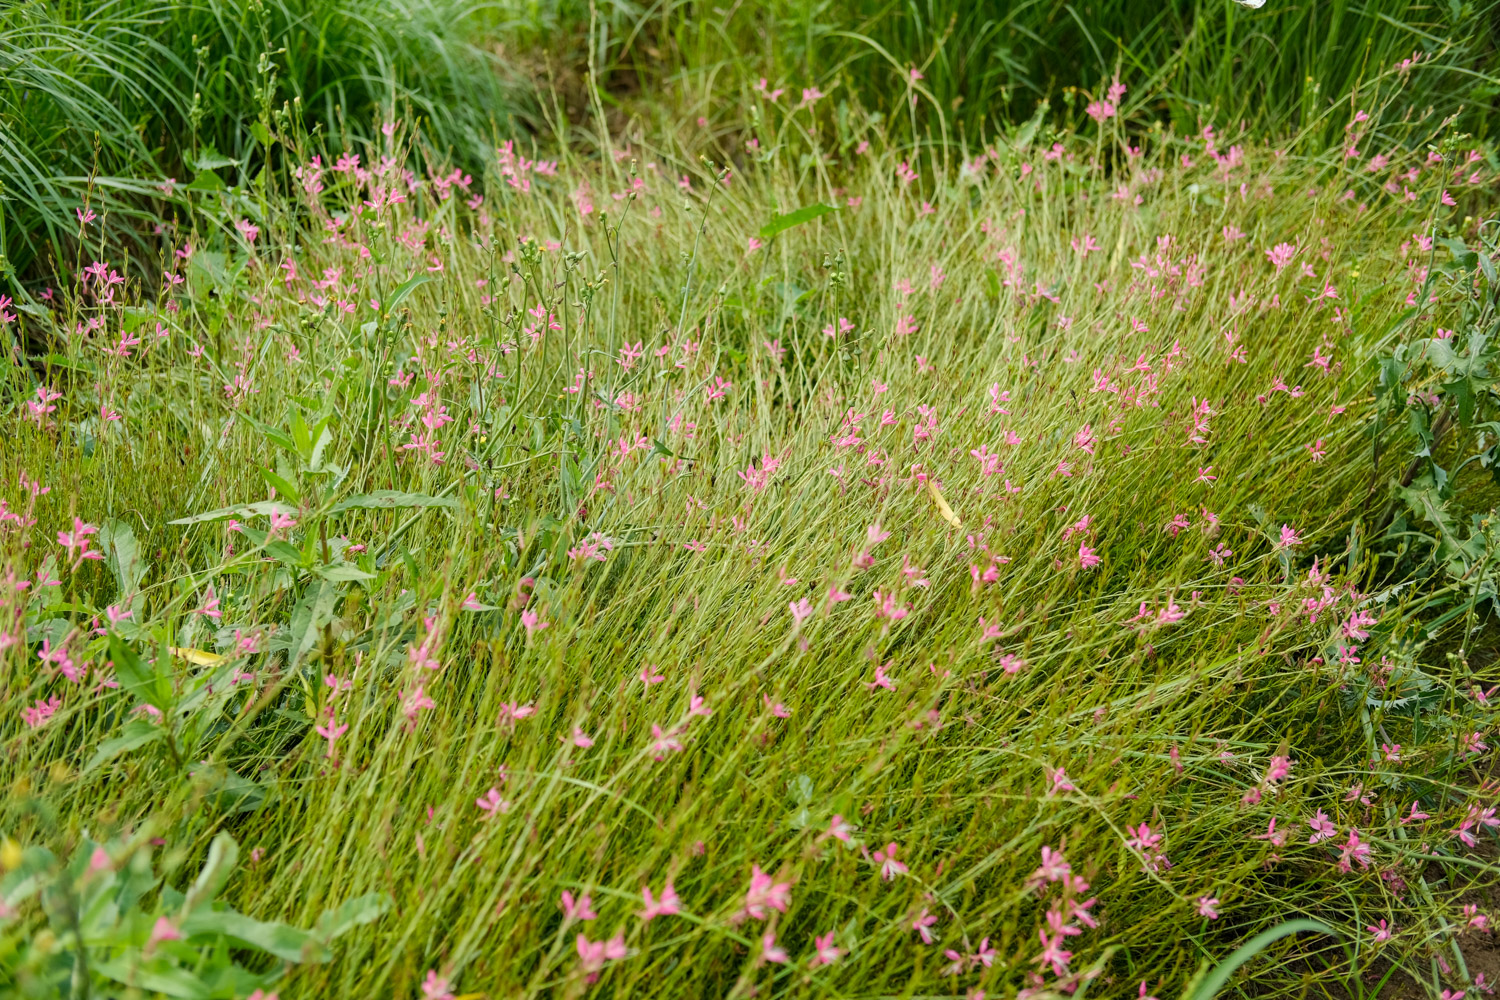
x: 986, y: 64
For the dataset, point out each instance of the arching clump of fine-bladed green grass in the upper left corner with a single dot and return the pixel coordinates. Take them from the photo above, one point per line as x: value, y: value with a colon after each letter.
x: 103, y: 103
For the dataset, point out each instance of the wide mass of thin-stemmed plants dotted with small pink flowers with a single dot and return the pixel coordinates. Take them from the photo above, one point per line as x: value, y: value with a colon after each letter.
x: 772, y: 558
